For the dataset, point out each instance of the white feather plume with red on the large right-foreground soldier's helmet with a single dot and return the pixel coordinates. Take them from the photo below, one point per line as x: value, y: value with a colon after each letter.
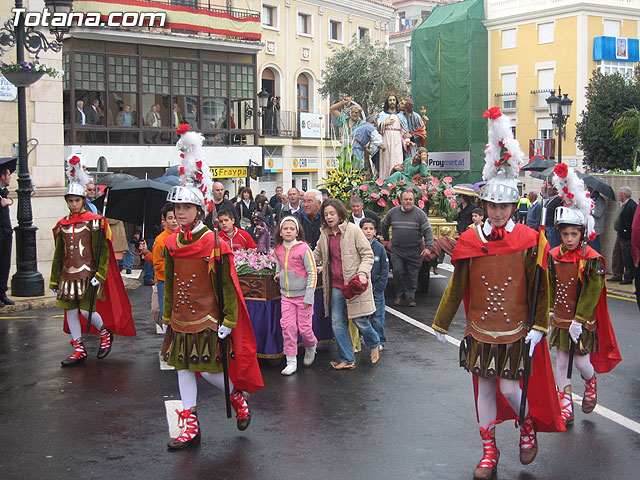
x: 500, y: 136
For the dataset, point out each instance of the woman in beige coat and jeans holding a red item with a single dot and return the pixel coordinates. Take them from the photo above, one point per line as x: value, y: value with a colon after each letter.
x: 344, y: 253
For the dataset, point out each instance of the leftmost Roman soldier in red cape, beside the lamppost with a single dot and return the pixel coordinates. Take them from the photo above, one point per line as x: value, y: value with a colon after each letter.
x: 84, y: 274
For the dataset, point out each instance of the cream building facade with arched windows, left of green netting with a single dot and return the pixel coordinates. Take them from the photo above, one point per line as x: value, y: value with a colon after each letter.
x: 299, y: 35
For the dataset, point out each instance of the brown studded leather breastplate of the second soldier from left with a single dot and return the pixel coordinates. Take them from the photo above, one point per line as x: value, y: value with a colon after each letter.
x: 195, y: 307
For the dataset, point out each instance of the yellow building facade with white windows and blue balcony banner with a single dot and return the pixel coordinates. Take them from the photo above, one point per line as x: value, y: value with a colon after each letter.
x: 536, y: 47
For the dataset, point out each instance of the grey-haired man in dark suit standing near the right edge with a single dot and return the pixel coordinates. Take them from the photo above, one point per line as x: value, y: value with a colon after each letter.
x: 621, y: 261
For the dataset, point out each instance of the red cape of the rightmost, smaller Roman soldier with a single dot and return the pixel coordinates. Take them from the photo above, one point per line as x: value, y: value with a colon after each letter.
x: 608, y: 354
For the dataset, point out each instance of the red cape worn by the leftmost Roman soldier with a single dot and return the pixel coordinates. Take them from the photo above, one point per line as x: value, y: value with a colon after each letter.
x: 115, y: 309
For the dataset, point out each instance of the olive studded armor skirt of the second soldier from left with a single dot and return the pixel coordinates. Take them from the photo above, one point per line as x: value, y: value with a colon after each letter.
x: 192, y: 351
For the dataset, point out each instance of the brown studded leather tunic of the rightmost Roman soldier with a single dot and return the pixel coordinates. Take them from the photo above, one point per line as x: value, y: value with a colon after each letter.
x: 564, y: 309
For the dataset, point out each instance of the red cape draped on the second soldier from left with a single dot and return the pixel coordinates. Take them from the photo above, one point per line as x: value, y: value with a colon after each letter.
x: 244, y: 370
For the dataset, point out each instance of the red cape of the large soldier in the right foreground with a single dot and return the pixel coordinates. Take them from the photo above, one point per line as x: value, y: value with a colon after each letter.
x: 541, y: 394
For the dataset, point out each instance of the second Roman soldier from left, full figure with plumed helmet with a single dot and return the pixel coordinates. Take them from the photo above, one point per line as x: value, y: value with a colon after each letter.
x: 203, y: 303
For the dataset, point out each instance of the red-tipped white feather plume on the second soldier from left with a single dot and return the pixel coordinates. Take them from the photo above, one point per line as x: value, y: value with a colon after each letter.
x: 194, y: 166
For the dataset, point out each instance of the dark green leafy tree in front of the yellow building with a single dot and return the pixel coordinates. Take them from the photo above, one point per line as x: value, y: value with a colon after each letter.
x: 607, y: 97
